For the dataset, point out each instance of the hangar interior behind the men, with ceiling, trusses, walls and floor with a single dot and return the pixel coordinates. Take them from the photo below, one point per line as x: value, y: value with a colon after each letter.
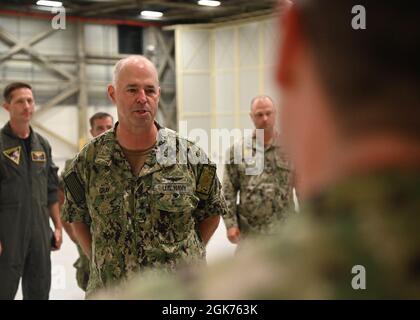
x: 211, y: 62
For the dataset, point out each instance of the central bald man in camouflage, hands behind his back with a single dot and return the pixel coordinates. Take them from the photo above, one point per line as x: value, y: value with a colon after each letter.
x: 149, y: 197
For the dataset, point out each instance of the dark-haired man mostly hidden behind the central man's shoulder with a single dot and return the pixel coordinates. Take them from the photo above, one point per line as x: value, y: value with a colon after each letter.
x: 99, y: 123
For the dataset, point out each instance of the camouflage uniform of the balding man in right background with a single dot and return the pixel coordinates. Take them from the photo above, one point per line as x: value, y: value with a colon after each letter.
x: 265, y: 197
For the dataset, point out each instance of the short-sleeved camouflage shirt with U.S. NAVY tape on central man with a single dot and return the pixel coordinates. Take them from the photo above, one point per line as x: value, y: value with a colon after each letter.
x: 147, y: 221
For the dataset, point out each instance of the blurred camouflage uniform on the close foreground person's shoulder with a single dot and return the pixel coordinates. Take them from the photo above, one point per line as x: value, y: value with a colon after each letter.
x: 371, y: 221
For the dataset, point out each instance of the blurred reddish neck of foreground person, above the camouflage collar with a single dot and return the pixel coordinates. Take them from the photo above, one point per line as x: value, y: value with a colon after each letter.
x: 360, y: 157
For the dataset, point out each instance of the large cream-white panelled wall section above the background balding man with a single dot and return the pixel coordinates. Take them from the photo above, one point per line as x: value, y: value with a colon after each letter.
x: 240, y: 67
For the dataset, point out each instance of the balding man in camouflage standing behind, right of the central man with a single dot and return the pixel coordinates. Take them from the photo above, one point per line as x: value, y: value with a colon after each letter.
x: 266, y: 195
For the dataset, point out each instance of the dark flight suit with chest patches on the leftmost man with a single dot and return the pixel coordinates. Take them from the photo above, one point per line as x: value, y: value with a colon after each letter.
x: 28, y: 185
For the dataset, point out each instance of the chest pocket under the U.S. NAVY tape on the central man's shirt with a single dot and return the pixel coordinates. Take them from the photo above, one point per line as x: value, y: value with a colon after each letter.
x: 174, y: 201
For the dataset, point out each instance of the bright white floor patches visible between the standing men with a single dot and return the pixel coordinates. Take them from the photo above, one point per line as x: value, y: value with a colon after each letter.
x: 63, y: 279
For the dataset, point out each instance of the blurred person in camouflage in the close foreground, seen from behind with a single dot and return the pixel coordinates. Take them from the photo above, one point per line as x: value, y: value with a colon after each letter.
x: 350, y: 119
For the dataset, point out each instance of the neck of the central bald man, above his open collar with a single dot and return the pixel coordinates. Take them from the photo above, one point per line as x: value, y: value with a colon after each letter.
x: 138, y: 139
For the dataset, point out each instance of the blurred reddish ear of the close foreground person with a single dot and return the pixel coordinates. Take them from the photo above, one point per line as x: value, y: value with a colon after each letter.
x: 289, y: 45
